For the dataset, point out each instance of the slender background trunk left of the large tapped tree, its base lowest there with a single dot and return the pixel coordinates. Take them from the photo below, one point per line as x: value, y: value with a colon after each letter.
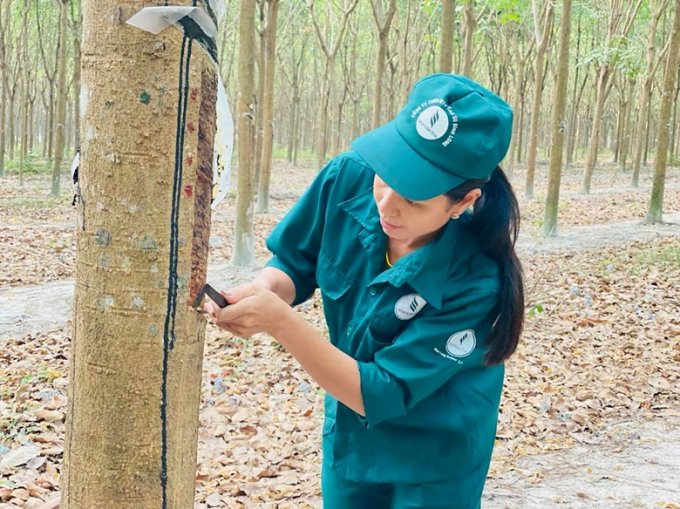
x: 62, y: 95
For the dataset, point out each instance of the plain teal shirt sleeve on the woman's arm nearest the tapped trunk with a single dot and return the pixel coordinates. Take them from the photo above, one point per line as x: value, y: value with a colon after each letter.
x: 296, y: 241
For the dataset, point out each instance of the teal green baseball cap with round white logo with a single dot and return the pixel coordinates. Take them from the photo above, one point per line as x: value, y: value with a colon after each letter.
x: 451, y: 130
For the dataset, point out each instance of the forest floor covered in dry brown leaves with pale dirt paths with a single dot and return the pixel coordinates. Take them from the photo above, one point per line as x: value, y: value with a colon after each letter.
x: 591, y: 408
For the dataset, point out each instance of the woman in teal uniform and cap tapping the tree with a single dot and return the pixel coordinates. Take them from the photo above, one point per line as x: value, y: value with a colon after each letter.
x: 423, y: 299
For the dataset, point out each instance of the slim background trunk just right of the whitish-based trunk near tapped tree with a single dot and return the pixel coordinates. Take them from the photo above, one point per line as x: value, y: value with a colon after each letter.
x: 268, y: 108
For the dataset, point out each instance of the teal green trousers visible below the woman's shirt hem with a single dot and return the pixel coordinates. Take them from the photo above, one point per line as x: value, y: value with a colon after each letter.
x: 339, y: 493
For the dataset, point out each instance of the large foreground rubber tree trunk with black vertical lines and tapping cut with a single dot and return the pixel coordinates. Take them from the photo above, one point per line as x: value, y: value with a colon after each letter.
x: 143, y: 227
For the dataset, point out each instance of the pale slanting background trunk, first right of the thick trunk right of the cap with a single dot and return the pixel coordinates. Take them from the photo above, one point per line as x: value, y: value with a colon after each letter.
x: 622, y: 14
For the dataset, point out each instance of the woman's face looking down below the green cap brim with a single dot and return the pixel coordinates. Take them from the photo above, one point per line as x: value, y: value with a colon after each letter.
x: 408, y: 220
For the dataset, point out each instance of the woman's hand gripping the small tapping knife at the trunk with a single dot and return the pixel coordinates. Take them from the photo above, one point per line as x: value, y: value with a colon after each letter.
x: 252, y: 308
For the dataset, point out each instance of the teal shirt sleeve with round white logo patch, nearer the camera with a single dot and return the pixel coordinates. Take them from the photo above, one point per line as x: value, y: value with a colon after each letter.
x: 429, y: 351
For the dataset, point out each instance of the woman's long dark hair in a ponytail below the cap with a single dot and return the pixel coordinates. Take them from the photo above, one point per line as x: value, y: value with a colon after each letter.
x: 496, y: 220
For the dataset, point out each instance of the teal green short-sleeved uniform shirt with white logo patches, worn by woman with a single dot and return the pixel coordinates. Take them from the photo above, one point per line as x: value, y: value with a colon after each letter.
x: 416, y: 331
